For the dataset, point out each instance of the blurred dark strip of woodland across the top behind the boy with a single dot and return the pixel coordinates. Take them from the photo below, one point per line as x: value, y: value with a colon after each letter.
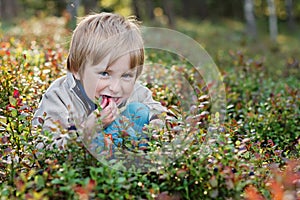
x: 287, y: 11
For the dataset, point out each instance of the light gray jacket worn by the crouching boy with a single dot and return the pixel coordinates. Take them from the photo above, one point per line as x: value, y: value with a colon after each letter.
x: 63, y: 104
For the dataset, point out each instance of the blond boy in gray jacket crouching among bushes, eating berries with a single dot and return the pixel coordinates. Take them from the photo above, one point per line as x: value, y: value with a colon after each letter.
x: 106, y: 57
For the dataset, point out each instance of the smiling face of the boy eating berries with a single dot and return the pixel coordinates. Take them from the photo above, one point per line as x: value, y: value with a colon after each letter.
x: 116, y: 81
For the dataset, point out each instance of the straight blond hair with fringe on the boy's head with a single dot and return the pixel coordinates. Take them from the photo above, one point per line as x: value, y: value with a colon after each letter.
x: 105, y: 34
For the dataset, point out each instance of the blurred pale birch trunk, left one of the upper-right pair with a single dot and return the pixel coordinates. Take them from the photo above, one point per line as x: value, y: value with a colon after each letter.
x: 250, y: 18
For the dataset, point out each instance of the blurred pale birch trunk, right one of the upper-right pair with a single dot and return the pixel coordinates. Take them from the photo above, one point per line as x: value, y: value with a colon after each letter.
x: 272, y: 20
